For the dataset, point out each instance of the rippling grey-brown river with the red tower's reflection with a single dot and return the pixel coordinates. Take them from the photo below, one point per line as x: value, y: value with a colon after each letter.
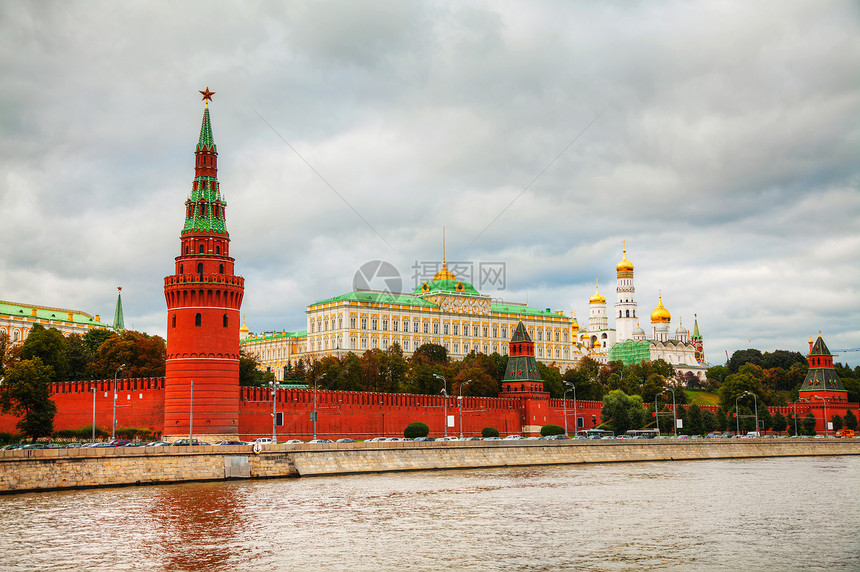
x: 759, y: 514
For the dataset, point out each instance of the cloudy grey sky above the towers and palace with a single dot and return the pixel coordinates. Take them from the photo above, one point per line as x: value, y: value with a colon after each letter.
x: 720, y: 139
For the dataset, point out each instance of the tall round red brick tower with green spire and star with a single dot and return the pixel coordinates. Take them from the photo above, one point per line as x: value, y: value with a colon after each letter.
x: 203, y: 301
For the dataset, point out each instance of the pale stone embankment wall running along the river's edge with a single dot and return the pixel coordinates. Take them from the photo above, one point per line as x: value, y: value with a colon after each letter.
x: 51, y: 469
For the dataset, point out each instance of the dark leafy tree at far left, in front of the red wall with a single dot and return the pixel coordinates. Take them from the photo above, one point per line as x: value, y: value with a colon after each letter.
x: 25, y: 392
